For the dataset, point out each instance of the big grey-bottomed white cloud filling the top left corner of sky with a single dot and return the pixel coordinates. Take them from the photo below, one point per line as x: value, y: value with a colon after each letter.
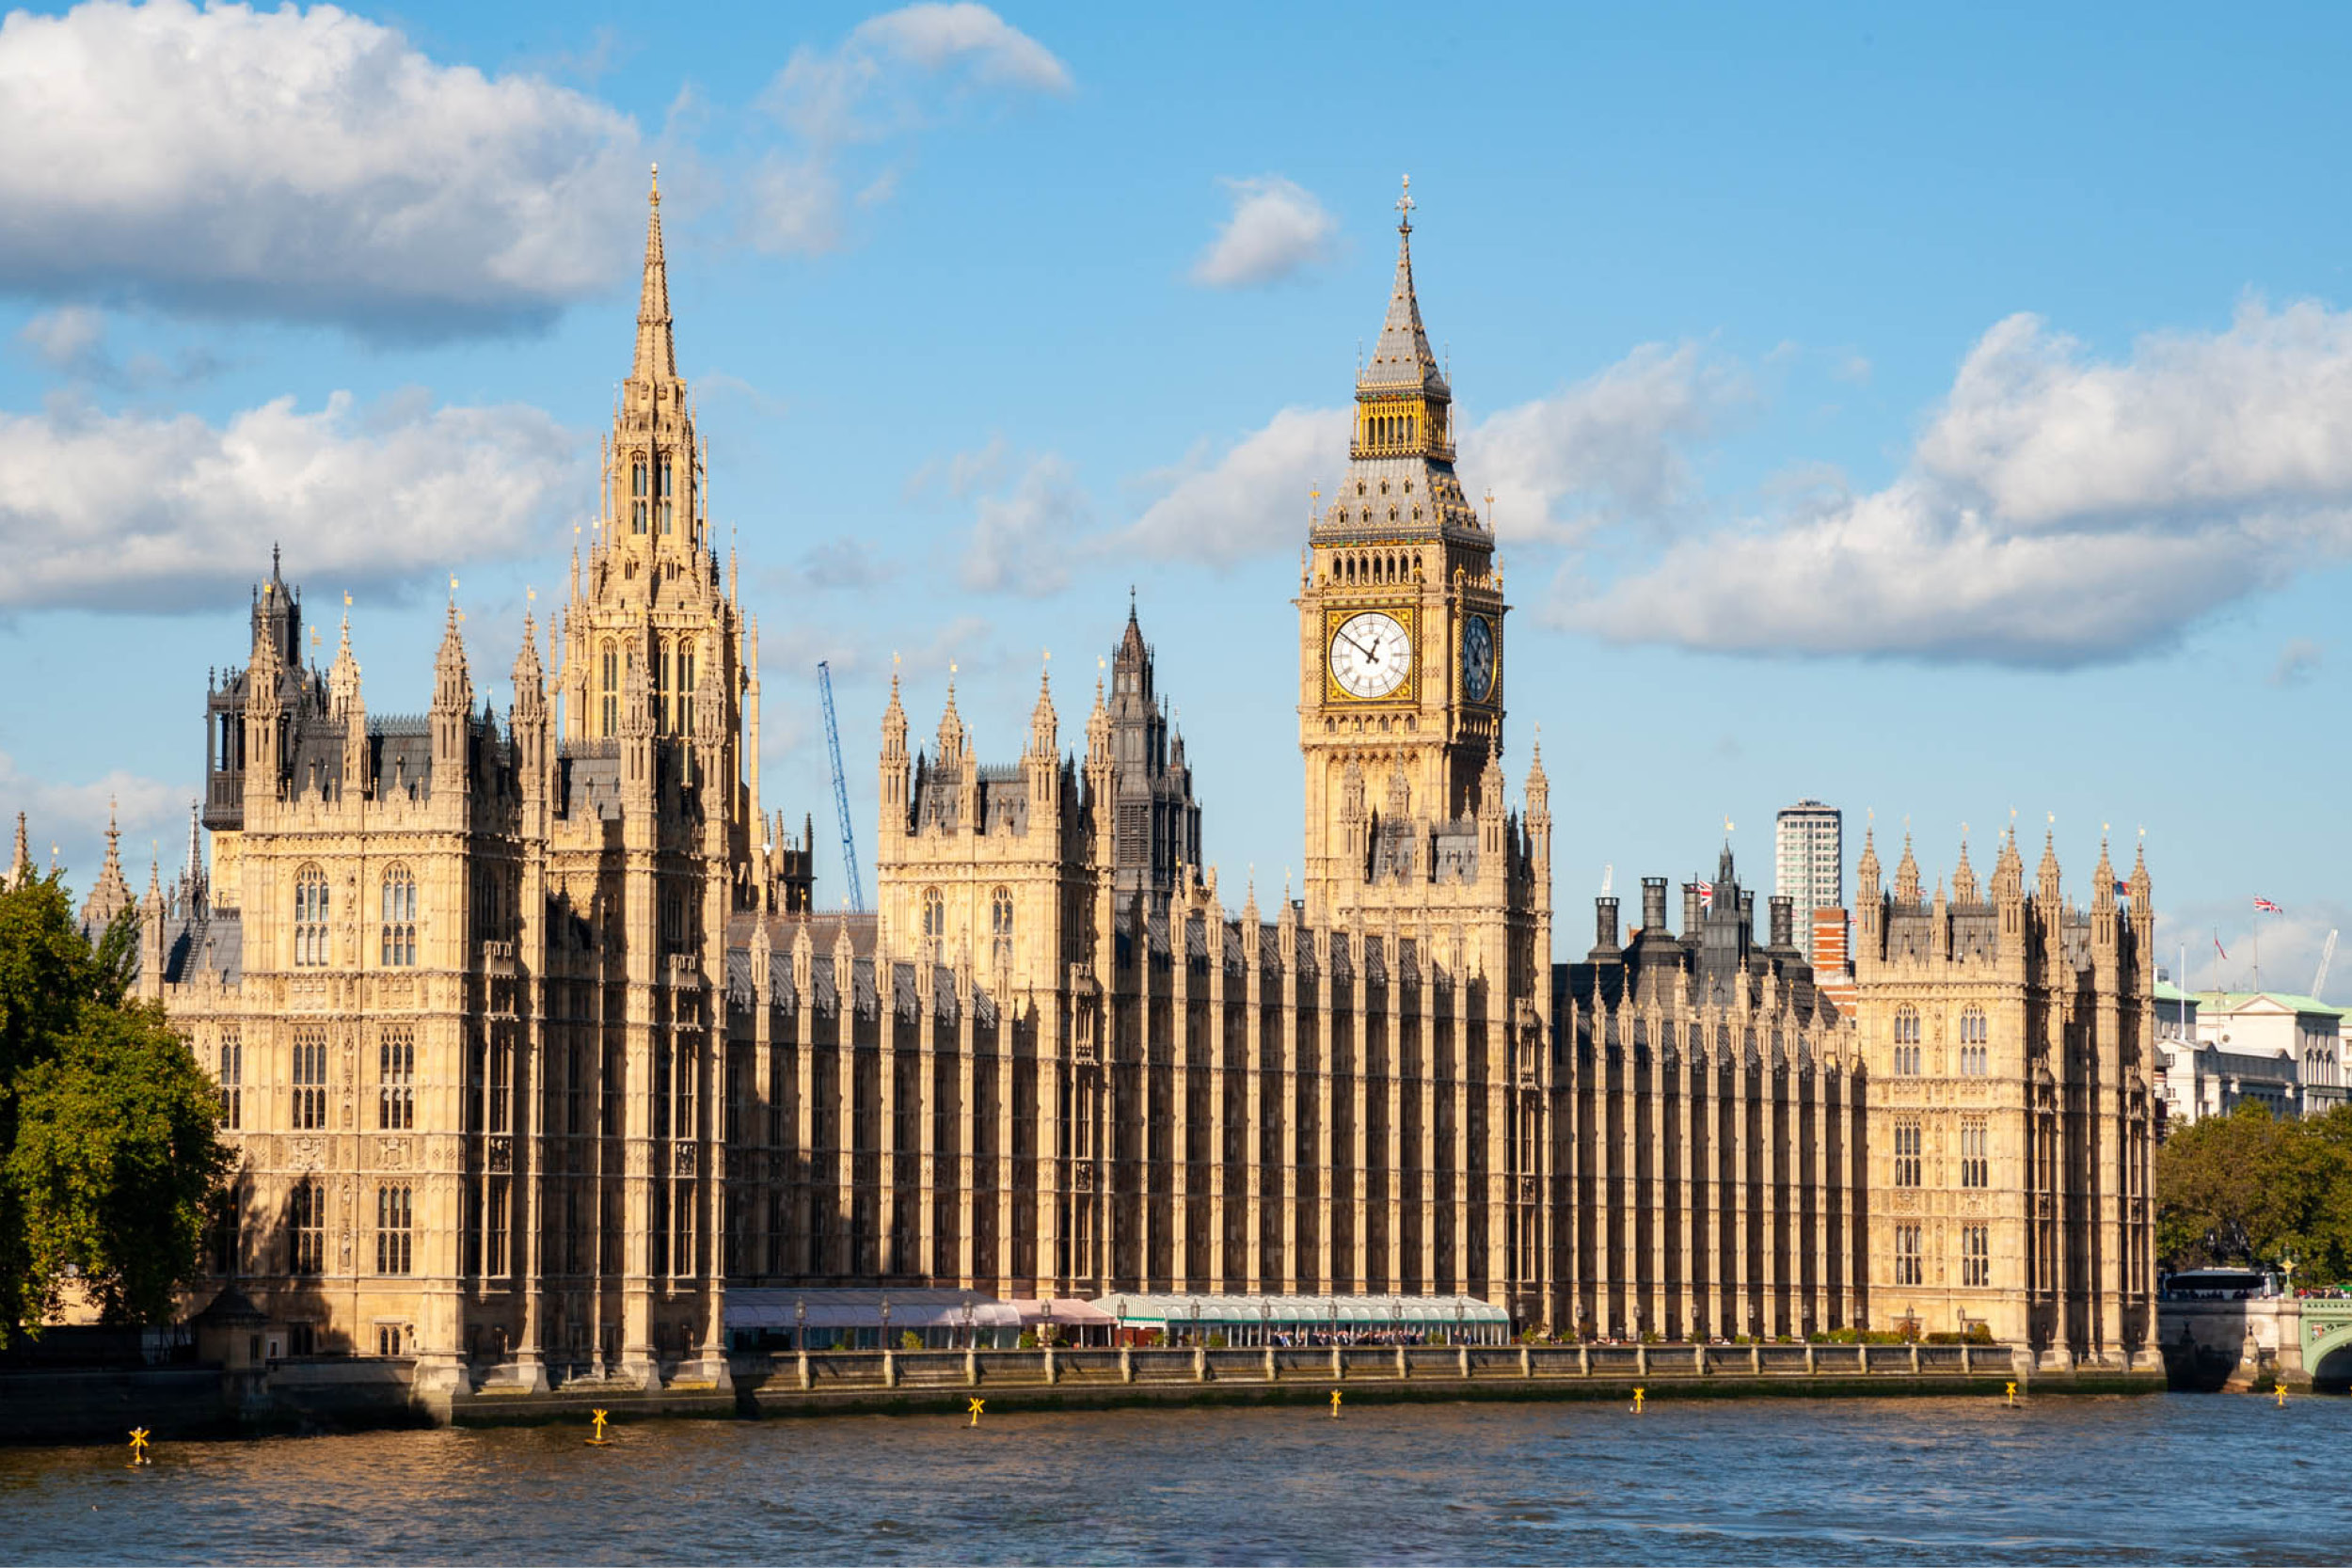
x: 305, y: 166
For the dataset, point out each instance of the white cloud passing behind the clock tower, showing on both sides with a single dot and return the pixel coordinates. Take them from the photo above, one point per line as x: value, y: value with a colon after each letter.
x: 1603, y: 450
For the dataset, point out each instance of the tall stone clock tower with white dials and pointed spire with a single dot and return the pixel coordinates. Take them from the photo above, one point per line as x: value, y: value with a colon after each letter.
x: 1401, y: 638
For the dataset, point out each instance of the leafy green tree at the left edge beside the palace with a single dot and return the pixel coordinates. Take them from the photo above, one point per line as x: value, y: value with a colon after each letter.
x: 109, y: 1130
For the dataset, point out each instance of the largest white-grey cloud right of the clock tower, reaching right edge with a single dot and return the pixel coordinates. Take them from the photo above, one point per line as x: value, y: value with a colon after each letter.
x: 2057, y: 511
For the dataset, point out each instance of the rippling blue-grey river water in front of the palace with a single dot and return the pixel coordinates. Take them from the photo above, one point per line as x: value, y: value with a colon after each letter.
x: 1751, y: 1482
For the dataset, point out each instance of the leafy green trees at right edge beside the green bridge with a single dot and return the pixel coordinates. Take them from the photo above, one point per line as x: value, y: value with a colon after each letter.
x: 2254, y: 1191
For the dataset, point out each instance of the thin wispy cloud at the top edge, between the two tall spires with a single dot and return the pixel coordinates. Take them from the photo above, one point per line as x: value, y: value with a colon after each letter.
x: 893, y: 79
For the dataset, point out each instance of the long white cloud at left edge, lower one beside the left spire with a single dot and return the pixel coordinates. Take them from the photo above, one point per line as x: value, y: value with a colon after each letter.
x: 135, y: 514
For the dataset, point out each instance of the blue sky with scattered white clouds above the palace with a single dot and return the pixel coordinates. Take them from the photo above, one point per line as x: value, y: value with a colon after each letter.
x: 1942, y: 415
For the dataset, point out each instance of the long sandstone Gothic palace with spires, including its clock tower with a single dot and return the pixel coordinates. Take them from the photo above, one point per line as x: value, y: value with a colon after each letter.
x: 535, y: 1047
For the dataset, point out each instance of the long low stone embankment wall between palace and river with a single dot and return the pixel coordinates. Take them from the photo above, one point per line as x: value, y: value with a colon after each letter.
x: 342, y: 1393
